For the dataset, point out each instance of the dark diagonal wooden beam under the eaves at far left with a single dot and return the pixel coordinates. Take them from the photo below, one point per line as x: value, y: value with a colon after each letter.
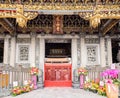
x: 7, y: 25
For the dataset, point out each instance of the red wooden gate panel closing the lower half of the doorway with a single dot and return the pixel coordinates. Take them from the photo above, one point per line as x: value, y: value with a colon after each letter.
x: 58, y: 74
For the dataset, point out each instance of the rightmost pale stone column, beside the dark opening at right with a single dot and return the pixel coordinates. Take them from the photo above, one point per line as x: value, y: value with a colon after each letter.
x: 109, y: 51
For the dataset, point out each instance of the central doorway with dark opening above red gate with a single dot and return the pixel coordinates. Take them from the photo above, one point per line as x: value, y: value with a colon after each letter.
x: 58, y: 65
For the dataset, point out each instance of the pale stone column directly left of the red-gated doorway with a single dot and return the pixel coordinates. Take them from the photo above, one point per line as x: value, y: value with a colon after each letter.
x: 42, y: 53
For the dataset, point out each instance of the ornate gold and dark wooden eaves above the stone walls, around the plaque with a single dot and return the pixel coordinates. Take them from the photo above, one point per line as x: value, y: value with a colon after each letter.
x: 27, y: 13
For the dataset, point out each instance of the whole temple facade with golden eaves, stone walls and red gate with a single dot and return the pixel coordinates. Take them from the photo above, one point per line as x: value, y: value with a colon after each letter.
x: 58, y: 36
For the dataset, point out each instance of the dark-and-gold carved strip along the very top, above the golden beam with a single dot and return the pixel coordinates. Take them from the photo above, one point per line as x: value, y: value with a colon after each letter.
x: 61, y: 1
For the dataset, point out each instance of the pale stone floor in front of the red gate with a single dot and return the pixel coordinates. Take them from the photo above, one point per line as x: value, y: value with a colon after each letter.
x: 57, y: 92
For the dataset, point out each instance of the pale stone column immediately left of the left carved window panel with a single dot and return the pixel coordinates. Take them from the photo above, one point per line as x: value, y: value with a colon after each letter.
x: 13, y: 51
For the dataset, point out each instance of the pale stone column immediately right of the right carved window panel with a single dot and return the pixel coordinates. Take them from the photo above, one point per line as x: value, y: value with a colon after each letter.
x: 102, y: 52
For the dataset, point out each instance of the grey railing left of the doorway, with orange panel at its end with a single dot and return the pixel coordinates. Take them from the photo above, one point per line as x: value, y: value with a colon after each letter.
x: 11, y: 76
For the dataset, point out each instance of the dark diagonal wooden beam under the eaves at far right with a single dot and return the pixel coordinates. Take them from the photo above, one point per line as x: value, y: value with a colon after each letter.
x: 109, y: 26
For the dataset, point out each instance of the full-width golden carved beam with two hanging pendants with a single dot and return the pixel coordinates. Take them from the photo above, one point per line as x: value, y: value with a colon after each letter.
x: 26, y: 12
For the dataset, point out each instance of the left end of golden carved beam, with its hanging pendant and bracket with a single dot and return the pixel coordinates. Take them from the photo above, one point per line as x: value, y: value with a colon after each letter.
x: 21, y: 16
